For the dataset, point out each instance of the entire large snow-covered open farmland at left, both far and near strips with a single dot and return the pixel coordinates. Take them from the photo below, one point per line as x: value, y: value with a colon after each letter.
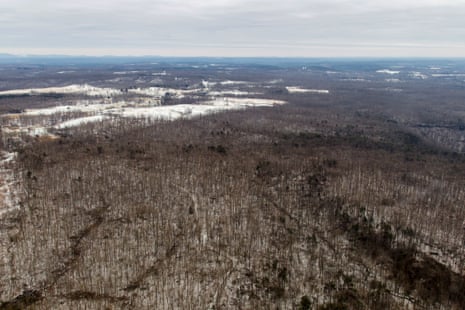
x: 44, y: 121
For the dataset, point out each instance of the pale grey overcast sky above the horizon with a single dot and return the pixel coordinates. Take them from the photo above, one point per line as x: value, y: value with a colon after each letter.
x: 234, y: 27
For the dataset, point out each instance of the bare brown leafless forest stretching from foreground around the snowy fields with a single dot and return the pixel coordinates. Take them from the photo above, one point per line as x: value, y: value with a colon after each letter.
x: 352, y: 200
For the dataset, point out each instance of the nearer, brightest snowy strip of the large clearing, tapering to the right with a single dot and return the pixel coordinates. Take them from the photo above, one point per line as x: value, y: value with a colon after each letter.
x: 61, y: 117
